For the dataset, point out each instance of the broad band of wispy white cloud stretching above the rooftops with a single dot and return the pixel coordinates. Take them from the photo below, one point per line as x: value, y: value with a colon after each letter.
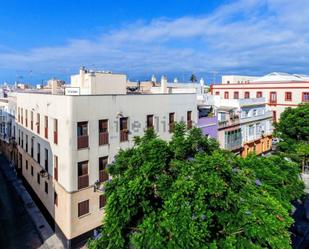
x: 245, y: 36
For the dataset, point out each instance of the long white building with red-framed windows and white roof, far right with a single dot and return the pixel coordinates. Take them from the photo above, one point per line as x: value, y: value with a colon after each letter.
x: 281, y: 90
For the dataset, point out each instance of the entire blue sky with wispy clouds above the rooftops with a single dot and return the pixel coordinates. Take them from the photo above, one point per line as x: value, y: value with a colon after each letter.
x: 52, y: 38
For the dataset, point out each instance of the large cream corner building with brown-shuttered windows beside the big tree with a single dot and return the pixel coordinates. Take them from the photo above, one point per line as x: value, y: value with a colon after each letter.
x: 66, y: 141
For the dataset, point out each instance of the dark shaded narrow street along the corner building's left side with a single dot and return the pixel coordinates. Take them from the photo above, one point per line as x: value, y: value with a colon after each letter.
x: 16, y: 229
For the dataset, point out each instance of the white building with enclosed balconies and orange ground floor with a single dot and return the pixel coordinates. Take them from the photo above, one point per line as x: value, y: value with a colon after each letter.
x: 245, y: 125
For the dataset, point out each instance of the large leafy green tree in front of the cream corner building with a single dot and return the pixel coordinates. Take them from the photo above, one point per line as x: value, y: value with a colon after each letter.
x: 187, y: 193
